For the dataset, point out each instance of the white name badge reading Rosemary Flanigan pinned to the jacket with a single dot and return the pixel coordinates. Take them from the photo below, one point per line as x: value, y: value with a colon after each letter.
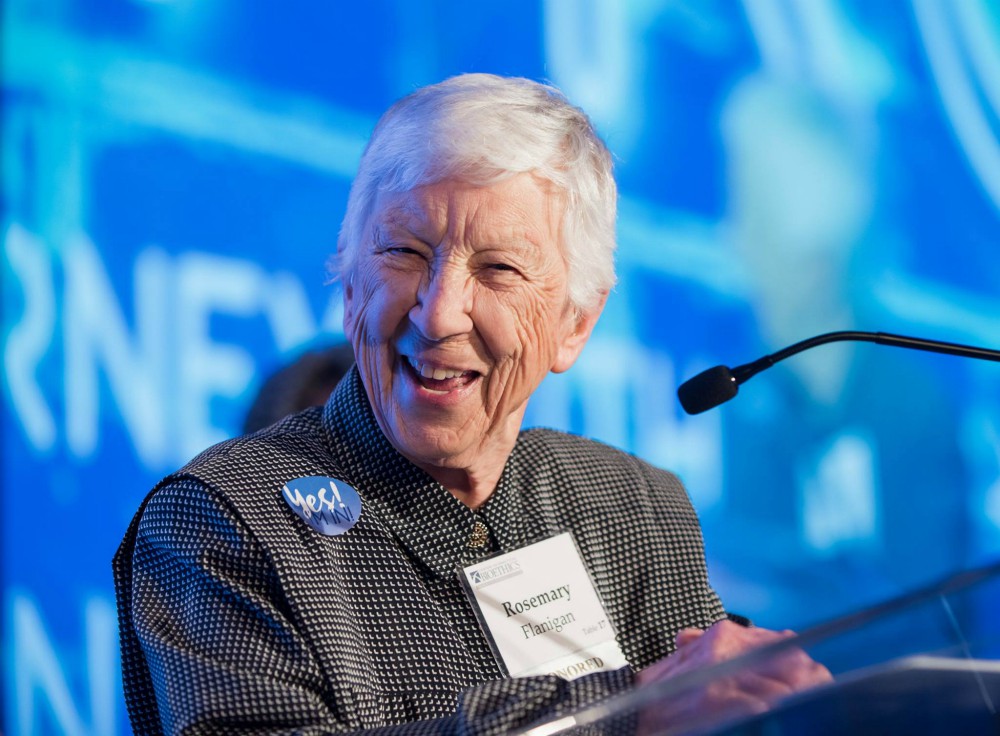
x: 542, y: 613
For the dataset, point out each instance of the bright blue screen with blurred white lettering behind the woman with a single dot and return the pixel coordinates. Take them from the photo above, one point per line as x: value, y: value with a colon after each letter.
x: 175, y: 172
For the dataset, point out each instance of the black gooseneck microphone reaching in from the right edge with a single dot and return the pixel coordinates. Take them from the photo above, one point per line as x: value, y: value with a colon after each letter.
x: 719, y: 384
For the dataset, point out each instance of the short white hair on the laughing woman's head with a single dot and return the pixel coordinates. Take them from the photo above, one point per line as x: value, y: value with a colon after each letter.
x: 480, y: 129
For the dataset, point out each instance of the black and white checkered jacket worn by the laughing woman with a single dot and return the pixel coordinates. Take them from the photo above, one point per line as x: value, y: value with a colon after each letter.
x: 237, y: 618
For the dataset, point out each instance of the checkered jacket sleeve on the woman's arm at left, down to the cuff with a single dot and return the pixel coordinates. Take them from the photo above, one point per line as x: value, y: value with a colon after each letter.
x: 209, y: 647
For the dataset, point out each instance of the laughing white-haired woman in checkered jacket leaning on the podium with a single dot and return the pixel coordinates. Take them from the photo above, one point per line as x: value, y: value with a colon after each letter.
x: 475, y: 256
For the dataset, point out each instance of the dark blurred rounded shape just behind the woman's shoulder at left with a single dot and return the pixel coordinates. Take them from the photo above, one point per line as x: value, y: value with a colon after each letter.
x: 305, y: 382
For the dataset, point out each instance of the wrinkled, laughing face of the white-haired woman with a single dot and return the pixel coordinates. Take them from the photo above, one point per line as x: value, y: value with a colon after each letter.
x: 457, y: 308
